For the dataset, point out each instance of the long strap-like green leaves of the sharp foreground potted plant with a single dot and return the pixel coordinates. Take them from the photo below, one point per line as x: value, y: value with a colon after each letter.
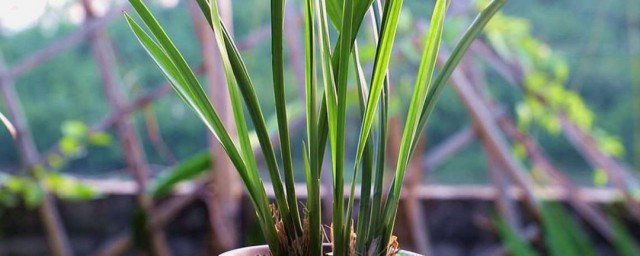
x: 328, y: 71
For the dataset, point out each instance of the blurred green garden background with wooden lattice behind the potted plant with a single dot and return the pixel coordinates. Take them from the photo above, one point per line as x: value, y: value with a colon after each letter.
x: 545, y: 106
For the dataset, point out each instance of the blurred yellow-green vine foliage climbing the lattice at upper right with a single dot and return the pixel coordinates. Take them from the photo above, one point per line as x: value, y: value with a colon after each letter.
x: 544, y: 82
